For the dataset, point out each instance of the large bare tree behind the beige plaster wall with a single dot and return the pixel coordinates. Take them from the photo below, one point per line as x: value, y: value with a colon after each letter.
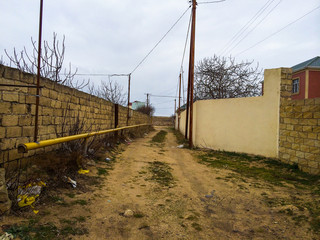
x: 220, y: 77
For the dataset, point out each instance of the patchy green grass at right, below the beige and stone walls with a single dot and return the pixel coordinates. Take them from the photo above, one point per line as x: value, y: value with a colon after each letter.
x: 276, y: 173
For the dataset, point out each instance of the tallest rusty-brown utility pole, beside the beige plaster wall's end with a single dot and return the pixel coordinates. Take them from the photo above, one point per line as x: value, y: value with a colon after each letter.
x: 191, y: 72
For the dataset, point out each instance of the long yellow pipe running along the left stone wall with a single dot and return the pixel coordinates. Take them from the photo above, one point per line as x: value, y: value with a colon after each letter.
x: 25, y: 147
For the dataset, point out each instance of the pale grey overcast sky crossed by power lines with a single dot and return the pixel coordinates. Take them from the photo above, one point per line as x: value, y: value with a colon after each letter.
x: 112, y: 36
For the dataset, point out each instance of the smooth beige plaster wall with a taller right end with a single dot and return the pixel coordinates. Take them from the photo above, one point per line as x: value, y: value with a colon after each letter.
x: 249, y: 125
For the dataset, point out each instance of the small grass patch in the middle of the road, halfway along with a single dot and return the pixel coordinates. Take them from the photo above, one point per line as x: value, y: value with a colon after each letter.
x: 161, y: 173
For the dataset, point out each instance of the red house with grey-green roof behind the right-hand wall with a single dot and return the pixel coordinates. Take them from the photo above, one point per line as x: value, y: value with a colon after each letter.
x: 306, y: 79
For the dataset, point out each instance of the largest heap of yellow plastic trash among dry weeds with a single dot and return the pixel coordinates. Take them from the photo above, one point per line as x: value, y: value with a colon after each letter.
x: 29, y: 193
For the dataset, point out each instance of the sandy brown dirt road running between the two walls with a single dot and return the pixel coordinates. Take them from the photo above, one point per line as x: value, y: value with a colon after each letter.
x: 198, y: 205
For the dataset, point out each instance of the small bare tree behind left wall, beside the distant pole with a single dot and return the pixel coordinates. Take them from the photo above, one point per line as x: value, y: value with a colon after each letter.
x: 111, y: 91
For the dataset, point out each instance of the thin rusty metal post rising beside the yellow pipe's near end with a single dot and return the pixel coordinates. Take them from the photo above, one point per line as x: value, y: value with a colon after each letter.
x: 38, y: 74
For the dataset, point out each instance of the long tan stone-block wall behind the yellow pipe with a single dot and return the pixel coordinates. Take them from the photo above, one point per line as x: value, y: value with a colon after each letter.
x: 59, y: 106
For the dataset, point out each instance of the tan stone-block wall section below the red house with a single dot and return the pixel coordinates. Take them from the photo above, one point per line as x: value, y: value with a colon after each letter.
x: 299, y: 130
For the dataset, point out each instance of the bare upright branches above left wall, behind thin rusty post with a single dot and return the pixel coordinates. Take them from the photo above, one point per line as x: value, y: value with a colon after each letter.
x: 52, y: 63
